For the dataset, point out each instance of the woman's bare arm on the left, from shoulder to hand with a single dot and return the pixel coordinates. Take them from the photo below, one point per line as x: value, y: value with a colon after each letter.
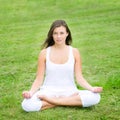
x: 39, y: 77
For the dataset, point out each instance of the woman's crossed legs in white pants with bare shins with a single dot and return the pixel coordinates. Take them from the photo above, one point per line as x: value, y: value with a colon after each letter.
x: 81, y: 99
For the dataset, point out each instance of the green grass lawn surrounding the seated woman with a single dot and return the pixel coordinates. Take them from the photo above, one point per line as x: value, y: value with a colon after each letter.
x: 96, y: 33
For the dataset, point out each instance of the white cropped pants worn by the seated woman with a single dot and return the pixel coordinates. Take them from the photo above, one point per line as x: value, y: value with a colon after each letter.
x: 88, y: 99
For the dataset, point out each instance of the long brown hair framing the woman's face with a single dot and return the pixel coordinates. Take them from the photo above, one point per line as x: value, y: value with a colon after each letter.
x: 49, y: 40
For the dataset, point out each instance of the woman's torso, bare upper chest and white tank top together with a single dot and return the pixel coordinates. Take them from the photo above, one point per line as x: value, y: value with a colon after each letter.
x: 59, y: 70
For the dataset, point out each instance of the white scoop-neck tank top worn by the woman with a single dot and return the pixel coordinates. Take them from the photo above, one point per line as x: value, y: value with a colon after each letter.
x: 59, y: 77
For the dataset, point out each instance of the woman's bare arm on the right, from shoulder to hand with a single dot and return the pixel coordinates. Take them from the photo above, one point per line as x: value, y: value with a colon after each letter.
x: 78, y: 74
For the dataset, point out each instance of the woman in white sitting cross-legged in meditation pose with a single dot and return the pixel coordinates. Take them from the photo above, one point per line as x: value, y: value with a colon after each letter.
x: 59, y: 62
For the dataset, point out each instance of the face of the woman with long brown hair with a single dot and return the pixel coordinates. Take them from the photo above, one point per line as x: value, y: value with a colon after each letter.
x: 59, y: 35
